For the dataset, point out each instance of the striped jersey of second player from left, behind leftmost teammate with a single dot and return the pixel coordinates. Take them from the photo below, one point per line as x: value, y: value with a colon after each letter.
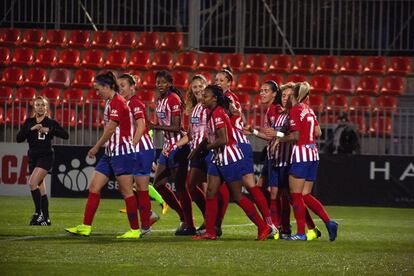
x: 138, y: 111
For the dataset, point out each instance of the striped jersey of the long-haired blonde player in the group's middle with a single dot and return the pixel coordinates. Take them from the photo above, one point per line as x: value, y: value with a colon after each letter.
x: 198, y: 125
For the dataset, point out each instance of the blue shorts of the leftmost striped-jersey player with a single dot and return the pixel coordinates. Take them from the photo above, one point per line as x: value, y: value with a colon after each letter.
x: 116, y: 165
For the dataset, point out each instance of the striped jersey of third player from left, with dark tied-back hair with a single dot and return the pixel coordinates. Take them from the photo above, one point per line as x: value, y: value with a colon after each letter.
x: 167, y: 107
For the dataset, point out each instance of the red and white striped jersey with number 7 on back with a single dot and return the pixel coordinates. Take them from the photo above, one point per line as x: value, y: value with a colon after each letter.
x: 303, y: 119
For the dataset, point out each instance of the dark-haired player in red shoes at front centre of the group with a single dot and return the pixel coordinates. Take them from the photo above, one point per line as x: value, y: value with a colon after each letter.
x: 226, y: 164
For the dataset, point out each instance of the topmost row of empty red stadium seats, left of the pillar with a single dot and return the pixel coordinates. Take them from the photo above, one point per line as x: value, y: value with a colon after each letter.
x: 85, y: 39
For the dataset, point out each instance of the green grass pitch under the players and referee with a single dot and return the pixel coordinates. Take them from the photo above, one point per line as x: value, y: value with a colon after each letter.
x: 370, y: 241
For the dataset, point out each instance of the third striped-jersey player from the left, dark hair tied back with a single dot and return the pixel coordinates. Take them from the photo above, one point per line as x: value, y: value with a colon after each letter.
x: 169, y: 110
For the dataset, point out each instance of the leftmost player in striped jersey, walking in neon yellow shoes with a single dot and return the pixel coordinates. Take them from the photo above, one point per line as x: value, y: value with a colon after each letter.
x: 119, y: 158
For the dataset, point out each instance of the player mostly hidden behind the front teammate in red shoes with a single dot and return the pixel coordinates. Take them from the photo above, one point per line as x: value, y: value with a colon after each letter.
x: 224, y: 79
